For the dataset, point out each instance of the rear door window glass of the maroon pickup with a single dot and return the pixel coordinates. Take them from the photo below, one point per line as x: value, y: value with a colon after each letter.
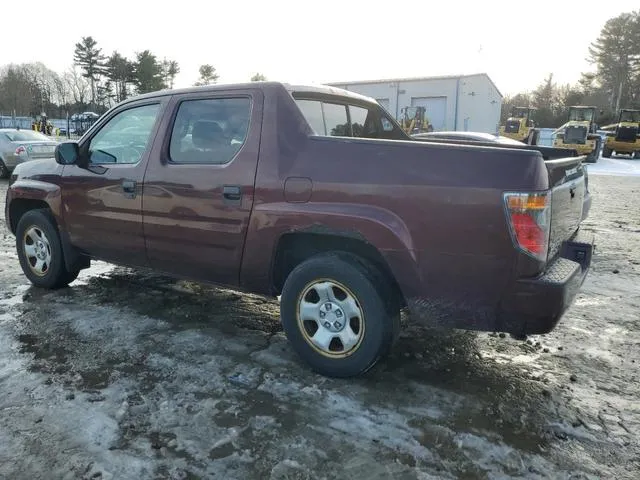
x: 210, y: 131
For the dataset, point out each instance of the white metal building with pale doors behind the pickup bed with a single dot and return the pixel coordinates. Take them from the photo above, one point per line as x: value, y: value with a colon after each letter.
x: 463, y: 102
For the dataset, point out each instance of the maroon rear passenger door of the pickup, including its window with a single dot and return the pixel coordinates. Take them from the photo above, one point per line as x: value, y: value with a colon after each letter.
x: 199, y: 184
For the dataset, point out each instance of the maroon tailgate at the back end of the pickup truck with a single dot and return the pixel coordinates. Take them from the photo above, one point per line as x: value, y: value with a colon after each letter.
x: 567, y: 179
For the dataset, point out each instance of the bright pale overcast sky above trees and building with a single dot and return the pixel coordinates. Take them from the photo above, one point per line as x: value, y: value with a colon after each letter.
x: 516, y: 43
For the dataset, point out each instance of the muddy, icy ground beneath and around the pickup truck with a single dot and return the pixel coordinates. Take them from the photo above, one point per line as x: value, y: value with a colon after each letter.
x: 128, y: 375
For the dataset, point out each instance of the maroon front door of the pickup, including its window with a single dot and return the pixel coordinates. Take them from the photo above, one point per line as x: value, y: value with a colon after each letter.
x: 103, y: 202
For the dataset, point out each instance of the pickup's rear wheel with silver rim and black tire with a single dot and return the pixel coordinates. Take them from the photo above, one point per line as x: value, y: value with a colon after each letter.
x: 337, y: 313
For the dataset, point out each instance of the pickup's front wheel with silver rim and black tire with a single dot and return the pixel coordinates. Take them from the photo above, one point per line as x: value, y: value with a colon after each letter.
x: 40, y: 251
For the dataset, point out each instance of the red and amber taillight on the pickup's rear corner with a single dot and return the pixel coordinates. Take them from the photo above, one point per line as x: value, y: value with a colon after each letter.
x: 529, y: 217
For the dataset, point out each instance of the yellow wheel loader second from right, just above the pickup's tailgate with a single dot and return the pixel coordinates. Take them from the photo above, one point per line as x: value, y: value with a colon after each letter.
x: 579, y: 133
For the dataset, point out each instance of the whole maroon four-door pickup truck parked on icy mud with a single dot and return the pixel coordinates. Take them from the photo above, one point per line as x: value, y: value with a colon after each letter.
x: 315, y: 195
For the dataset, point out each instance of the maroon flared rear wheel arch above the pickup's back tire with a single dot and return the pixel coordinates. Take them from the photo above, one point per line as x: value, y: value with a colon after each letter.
x: 376, y: 233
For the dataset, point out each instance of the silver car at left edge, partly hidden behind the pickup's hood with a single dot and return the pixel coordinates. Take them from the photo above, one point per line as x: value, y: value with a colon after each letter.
x: 18, y: 146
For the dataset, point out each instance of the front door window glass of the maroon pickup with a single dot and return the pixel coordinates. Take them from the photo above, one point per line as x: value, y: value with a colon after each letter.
x: 125, y: 137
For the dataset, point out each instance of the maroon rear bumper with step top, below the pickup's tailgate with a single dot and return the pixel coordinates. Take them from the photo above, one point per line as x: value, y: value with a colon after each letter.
x: 535, y: 305
